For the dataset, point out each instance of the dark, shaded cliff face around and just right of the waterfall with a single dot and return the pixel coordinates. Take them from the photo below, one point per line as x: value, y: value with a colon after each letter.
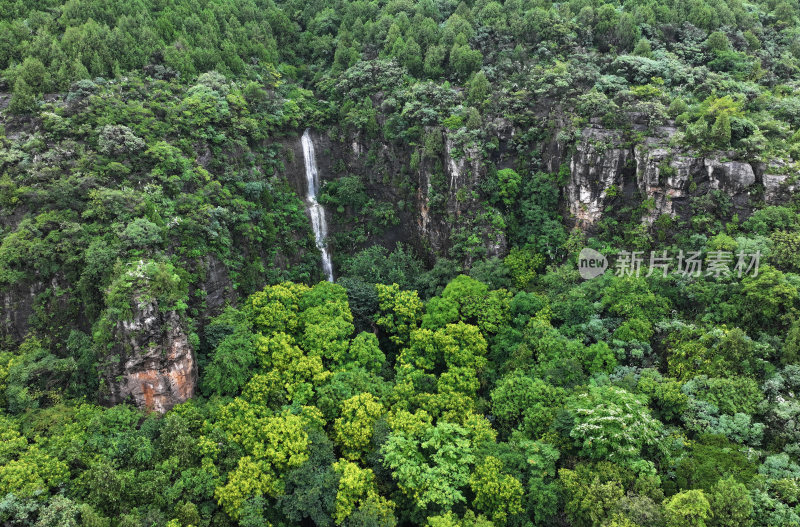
x: 439, y: 193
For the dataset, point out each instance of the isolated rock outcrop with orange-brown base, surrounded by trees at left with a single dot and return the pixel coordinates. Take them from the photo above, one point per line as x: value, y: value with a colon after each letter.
x: 151, y: 362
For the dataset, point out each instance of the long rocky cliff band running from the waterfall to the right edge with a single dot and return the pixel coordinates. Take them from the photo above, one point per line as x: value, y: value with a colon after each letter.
x: 607, y: 167
